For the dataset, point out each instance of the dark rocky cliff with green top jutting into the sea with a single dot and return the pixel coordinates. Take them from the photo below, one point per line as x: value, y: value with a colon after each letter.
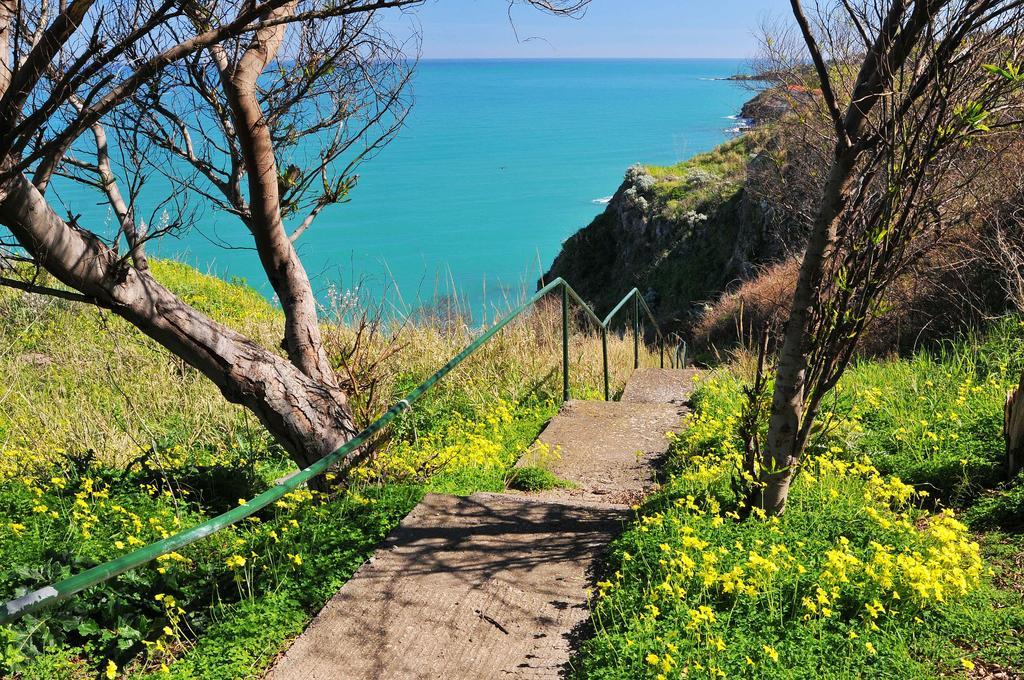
x: 681, y: 235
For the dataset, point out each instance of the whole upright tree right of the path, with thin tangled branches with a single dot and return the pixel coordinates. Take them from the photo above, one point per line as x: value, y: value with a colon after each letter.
x: 915, y: 107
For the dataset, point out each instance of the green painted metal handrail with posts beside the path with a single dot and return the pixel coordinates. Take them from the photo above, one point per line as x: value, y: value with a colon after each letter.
x: 64, y: 590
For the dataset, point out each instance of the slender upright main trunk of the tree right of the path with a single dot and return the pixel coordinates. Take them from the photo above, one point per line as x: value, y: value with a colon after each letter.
x: 783, y: 445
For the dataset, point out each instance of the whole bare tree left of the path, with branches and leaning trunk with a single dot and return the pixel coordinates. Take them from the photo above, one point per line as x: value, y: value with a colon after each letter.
x: 226, y: 99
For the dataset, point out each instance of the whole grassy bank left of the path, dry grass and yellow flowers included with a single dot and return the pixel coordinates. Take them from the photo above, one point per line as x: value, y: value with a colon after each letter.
x: 108, y: 443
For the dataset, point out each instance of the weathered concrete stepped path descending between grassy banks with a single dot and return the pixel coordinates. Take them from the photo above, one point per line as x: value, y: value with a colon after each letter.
x: 495, y: 585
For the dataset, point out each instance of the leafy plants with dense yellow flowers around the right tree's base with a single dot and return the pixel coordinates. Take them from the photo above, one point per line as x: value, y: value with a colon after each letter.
x: 858, y: 579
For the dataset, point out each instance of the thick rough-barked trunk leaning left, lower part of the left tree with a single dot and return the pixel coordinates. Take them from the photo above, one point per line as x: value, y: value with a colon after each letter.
x: 306, y: 416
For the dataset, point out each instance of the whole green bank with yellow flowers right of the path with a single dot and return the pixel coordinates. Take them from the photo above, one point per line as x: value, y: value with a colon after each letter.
x: 865, y: 575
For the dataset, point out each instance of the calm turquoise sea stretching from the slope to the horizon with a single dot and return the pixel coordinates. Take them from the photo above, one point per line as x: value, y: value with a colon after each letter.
x: 500, y: 161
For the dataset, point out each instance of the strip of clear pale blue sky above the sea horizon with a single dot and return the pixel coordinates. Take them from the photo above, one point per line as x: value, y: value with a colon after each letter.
x: 466, y: 29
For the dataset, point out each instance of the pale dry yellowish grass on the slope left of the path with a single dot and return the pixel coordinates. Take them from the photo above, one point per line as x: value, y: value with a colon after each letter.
x: 80, y: 382
